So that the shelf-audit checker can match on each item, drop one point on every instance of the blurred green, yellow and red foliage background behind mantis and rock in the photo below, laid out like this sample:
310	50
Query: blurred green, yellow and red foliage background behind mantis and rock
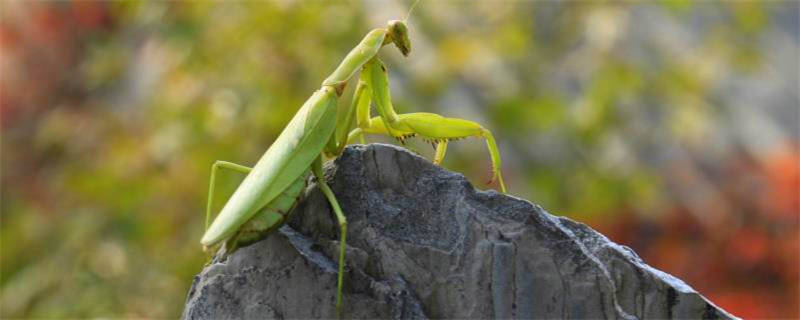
671	127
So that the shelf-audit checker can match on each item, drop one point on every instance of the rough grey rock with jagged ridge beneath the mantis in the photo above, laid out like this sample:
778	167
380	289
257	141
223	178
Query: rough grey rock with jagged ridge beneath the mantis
423	243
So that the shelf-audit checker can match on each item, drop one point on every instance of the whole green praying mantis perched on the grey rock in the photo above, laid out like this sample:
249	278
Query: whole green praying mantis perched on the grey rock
273	187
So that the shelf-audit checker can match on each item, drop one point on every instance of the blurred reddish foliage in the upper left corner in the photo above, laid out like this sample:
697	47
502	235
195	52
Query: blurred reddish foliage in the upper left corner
42	44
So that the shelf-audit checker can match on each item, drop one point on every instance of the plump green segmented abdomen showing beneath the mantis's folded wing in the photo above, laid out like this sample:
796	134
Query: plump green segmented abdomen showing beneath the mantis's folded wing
270	217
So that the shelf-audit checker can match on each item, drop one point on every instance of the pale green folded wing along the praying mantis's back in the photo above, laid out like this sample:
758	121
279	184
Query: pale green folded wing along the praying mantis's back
286	159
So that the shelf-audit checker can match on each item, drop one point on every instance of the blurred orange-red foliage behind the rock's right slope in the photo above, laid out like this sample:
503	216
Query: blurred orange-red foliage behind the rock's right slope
750	263
